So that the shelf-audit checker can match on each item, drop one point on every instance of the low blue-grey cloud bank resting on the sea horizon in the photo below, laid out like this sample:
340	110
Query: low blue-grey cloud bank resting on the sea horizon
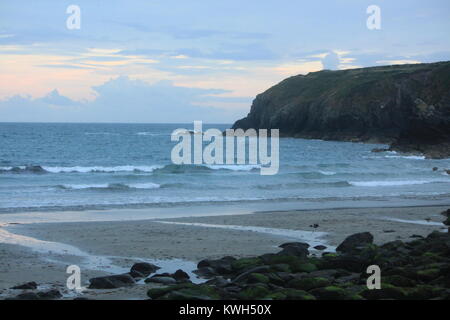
126	100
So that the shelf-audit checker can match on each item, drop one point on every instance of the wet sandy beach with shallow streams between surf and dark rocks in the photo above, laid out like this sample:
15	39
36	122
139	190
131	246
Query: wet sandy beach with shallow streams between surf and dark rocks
41	252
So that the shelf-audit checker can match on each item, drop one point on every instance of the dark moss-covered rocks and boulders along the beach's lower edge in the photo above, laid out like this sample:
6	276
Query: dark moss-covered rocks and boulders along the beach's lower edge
418	269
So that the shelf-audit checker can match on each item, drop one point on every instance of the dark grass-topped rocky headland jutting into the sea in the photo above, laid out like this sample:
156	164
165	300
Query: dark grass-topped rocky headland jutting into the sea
407	105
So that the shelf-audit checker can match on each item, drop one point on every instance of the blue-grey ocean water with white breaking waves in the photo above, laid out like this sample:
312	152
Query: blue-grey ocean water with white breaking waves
96	166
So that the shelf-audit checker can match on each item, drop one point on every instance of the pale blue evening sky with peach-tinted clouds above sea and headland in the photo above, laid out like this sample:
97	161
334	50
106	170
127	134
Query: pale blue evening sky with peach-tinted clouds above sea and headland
151	61
